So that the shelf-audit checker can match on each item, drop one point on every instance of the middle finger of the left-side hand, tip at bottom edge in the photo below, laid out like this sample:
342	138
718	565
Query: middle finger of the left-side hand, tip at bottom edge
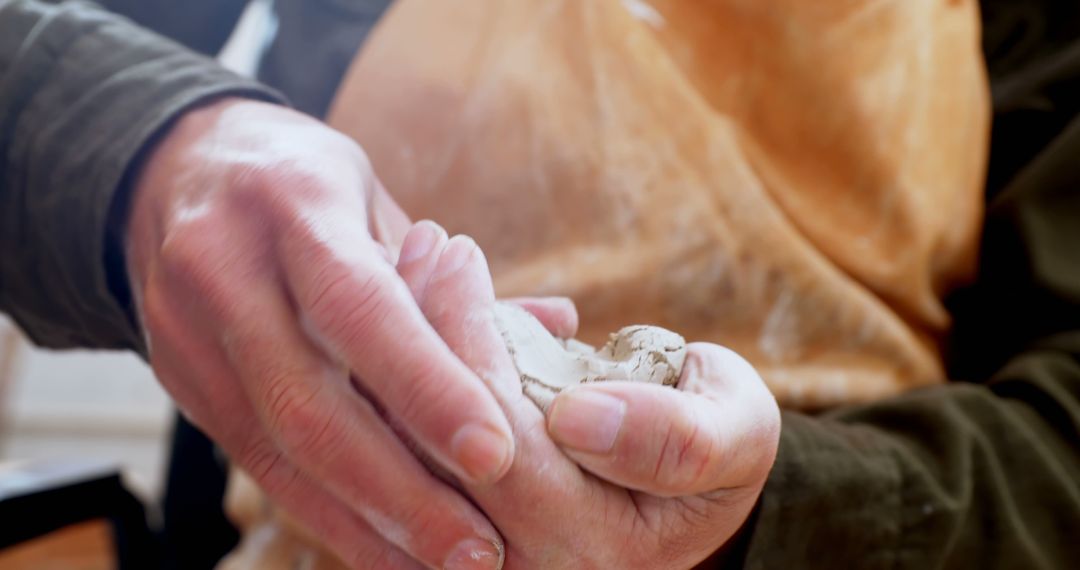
339	440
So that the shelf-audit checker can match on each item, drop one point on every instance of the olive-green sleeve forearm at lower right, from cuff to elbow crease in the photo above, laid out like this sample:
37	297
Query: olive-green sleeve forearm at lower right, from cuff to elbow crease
963	477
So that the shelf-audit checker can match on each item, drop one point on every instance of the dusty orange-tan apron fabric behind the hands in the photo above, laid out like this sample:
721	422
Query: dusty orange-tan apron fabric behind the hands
800	181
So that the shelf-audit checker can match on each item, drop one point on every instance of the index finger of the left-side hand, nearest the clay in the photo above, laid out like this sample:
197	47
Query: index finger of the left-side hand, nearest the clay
368	318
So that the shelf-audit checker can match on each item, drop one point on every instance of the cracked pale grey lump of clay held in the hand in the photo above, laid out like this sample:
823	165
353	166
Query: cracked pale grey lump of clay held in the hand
547	365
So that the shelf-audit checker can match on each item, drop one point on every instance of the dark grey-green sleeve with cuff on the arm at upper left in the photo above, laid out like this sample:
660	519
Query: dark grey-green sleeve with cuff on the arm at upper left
83	92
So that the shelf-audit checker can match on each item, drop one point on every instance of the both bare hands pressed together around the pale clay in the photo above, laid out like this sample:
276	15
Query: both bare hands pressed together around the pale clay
348	361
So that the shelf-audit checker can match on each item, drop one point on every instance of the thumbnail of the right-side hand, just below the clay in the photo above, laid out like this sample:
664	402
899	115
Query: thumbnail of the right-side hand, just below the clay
587	420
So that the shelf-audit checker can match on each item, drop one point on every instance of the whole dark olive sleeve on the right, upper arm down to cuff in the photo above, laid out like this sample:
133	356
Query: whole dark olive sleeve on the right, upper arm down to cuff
983	472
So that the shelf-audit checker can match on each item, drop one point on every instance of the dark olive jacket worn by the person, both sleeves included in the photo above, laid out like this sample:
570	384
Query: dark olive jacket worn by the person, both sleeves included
983	472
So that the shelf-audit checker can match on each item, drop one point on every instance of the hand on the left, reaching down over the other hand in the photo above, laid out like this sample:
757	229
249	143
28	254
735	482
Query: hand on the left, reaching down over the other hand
261	249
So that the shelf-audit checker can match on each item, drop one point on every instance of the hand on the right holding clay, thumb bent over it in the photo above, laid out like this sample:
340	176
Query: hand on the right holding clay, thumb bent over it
619	476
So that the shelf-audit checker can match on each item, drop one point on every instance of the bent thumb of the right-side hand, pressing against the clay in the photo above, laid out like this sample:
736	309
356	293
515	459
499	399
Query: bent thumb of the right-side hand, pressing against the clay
712	435
